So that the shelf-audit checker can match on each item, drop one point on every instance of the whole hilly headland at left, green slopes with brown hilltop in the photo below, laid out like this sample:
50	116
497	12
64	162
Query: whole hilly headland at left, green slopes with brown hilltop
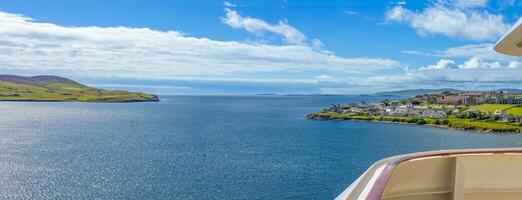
59	89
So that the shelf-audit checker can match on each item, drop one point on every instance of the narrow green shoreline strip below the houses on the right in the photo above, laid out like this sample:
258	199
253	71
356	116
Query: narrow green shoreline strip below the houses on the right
447	123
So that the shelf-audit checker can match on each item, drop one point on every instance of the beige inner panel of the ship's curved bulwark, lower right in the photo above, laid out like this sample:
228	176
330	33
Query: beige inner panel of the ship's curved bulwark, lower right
462	177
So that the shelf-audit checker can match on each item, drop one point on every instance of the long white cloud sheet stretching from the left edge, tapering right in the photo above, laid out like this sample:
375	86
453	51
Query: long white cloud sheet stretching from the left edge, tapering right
31	47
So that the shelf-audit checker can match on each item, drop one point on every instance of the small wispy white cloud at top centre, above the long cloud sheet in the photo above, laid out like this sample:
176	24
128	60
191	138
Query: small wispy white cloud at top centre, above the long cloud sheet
257	26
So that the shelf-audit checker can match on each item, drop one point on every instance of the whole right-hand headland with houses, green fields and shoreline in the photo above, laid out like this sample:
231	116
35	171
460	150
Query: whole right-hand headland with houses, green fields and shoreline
493	111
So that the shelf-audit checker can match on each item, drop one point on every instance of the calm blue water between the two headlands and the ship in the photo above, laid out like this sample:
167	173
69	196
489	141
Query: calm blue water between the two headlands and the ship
200	147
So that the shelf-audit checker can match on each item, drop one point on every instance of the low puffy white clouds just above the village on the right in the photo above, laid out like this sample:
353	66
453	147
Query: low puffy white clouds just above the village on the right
471	74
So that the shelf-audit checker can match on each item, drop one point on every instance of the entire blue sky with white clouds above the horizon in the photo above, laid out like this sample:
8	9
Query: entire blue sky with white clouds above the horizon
261	46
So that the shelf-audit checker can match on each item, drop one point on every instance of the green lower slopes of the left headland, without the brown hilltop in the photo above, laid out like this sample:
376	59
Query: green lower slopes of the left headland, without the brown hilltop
67	92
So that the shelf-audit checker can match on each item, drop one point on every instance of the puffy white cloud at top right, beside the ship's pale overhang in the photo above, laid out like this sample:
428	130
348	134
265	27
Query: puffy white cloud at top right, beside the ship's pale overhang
454	22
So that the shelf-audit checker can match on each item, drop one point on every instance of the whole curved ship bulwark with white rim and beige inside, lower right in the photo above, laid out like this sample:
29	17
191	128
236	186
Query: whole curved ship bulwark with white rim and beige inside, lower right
448	174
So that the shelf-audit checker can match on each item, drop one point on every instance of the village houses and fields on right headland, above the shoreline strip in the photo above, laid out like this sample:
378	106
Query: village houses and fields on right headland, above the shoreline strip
438	106
